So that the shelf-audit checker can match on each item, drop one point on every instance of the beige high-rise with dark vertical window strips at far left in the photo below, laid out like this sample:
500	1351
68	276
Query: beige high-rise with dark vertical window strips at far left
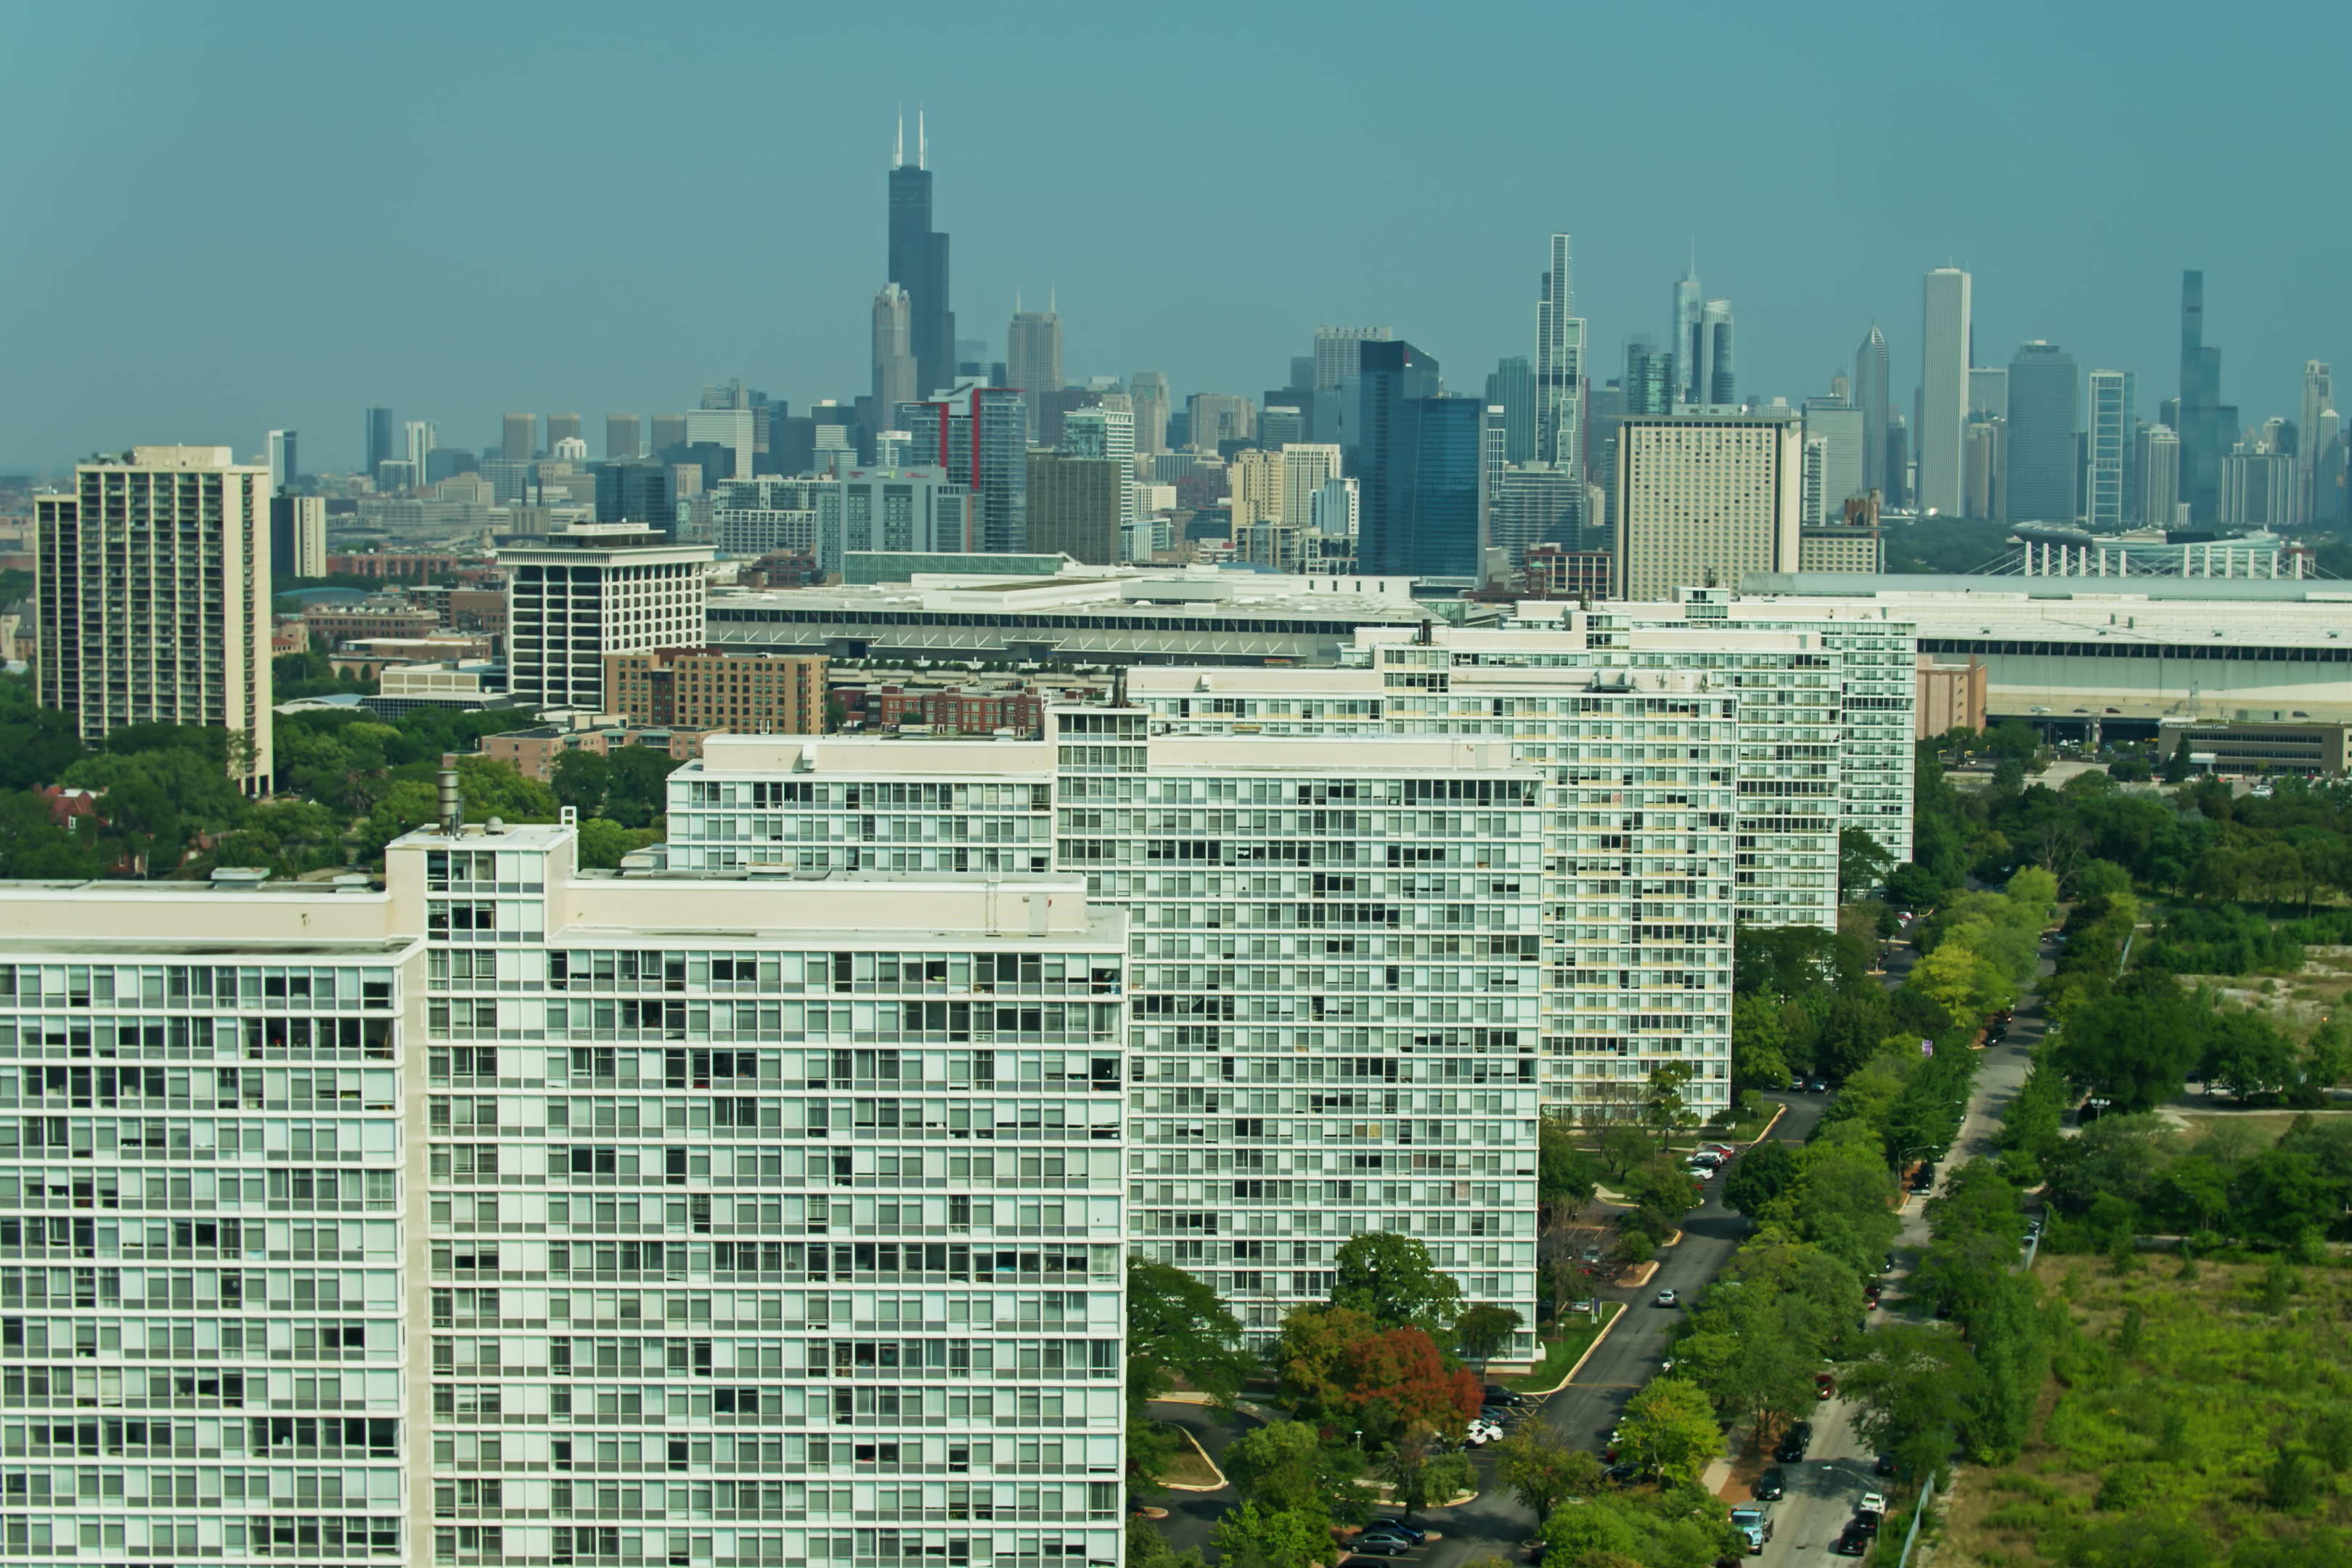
154	587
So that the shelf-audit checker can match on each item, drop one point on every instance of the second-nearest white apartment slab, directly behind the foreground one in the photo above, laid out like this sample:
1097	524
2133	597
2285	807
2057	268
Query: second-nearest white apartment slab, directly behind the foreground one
1332	963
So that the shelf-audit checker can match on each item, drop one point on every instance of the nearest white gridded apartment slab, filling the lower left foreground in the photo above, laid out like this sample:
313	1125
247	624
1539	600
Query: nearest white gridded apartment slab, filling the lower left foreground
530	1214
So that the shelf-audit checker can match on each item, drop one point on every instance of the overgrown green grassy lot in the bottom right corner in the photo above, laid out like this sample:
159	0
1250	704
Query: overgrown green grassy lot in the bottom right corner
2212	1412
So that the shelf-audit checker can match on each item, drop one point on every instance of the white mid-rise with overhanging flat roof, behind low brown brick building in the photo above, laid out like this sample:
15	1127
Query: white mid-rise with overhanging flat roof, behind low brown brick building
592	591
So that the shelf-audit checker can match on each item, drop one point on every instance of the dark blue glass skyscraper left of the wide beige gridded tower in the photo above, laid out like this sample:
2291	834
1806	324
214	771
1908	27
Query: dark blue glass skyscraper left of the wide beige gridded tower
1417	462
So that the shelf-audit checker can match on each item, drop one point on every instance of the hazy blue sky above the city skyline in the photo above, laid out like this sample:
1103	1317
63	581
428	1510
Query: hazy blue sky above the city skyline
239	217
